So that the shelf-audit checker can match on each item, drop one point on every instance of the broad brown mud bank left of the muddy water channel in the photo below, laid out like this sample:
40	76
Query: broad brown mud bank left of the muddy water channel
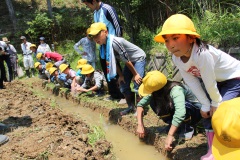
41	131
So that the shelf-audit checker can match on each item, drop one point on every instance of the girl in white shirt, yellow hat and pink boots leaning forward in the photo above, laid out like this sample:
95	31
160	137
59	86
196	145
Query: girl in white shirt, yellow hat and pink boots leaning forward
200	63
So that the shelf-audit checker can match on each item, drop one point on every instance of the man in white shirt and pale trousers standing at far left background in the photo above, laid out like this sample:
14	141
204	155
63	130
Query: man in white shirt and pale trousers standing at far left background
27	56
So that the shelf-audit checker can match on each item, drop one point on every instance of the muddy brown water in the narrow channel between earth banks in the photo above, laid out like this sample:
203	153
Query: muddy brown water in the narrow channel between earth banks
126	146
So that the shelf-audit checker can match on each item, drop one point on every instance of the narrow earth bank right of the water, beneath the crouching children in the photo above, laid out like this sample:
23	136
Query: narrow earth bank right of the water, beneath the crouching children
191	150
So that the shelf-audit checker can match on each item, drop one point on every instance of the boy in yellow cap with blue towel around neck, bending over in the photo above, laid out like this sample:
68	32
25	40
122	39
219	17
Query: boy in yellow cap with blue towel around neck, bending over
121	49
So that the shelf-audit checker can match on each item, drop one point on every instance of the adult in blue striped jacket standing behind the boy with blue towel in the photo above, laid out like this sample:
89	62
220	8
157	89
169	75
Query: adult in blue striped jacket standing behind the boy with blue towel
108	15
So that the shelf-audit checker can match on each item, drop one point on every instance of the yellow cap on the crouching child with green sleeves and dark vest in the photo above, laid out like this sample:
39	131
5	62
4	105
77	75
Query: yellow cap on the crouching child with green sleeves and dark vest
152	82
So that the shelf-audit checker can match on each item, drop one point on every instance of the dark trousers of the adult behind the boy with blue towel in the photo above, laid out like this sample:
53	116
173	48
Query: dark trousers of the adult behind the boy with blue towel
113	87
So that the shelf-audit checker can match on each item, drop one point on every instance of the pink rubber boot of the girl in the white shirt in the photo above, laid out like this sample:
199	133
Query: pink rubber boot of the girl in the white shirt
209	155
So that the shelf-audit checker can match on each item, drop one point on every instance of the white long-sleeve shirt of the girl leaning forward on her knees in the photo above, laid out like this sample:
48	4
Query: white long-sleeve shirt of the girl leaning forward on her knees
212	66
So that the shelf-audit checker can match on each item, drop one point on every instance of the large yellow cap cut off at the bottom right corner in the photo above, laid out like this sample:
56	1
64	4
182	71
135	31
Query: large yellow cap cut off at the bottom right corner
226	126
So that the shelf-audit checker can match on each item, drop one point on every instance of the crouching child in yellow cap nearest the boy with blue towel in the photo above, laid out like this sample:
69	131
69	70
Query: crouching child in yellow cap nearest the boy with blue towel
93	80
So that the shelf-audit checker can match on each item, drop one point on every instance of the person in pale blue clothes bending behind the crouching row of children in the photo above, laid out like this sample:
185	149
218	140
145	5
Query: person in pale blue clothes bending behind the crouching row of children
89	49
